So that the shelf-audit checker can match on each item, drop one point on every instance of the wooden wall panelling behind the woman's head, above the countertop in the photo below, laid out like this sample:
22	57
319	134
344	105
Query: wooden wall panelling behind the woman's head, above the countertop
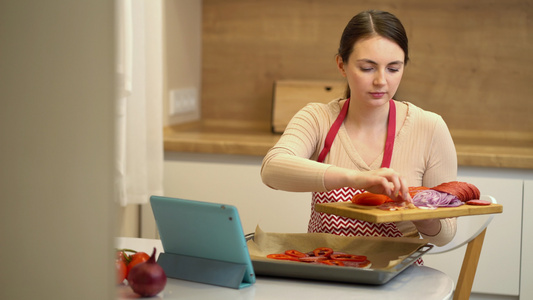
471	61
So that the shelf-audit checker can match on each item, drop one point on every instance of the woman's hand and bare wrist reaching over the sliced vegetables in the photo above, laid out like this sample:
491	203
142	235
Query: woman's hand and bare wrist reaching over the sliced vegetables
384	181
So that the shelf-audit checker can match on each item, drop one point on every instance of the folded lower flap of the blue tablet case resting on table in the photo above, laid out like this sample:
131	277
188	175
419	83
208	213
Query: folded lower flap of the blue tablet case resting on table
203	270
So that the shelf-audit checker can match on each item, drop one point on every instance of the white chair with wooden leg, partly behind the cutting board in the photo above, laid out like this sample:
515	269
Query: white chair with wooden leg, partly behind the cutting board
470	230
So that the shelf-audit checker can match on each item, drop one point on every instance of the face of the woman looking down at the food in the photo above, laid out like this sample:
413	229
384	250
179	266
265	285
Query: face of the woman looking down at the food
374	70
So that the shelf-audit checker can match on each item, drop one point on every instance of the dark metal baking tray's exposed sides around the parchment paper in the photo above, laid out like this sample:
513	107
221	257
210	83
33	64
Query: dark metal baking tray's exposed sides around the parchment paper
370	276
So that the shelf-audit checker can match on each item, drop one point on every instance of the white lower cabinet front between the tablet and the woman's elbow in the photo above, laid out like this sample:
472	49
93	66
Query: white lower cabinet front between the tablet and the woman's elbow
235	179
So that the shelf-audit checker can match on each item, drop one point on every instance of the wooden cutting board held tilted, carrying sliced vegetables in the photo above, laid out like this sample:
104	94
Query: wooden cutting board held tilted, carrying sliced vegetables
375	215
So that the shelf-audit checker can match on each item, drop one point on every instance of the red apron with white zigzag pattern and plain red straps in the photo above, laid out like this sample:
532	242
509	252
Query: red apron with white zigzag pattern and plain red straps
329	223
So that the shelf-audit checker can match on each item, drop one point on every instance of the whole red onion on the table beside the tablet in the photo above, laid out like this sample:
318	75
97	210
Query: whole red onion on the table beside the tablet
148	278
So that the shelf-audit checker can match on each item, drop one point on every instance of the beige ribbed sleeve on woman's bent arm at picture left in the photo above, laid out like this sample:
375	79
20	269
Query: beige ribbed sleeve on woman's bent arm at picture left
288	165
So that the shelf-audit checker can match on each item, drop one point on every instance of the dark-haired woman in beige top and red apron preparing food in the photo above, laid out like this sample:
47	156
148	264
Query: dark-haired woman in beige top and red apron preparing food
366	141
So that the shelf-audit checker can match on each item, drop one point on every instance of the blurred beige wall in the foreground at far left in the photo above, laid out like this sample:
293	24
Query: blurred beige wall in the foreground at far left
56	155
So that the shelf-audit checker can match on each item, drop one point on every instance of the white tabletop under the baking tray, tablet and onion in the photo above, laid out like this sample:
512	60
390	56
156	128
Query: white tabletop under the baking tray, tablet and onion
413	283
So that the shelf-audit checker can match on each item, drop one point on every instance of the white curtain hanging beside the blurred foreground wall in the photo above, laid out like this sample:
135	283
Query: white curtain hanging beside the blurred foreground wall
139	148
